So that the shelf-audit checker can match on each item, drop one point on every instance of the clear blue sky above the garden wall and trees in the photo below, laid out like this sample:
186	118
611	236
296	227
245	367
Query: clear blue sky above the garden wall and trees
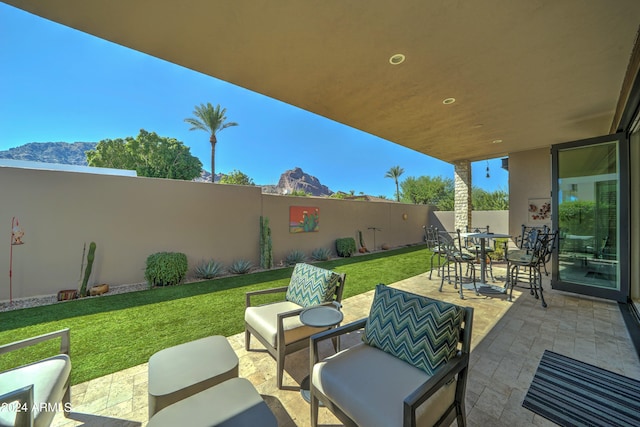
58	84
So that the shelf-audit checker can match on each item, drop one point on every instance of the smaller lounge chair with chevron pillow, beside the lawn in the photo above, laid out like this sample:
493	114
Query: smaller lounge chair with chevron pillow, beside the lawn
277	325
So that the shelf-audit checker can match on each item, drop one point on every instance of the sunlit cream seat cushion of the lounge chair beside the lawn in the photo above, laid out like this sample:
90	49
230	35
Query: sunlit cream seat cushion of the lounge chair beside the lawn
264	319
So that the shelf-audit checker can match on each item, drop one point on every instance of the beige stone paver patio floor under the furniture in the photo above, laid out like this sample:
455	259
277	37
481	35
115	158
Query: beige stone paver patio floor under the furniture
508	341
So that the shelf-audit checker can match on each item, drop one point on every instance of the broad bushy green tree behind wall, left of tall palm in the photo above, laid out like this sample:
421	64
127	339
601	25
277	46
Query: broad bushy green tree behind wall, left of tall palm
148	154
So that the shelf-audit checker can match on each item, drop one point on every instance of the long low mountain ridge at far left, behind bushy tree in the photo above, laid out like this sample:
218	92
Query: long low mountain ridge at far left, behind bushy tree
51	152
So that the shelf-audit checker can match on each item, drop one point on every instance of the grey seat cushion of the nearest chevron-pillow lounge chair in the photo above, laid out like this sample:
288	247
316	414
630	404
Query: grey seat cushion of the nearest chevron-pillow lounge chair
370	386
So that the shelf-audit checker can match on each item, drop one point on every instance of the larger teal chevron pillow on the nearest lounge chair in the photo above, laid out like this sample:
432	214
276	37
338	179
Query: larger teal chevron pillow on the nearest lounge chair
419	330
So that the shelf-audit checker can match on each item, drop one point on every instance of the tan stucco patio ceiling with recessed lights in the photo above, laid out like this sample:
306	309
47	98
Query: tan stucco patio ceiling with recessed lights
528	72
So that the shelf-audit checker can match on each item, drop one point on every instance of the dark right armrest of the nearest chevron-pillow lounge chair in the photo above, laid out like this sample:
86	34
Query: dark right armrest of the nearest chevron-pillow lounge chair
442	376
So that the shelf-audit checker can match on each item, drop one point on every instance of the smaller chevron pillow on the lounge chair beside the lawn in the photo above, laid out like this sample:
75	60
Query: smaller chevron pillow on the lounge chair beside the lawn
311	285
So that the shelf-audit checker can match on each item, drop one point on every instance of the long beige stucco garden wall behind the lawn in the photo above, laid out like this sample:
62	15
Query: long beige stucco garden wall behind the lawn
130	218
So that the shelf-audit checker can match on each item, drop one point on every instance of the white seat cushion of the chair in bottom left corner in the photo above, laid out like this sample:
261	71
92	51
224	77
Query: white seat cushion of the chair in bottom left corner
48	377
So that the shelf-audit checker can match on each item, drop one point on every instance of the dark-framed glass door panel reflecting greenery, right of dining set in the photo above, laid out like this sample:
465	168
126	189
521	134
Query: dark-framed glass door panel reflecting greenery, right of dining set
590	200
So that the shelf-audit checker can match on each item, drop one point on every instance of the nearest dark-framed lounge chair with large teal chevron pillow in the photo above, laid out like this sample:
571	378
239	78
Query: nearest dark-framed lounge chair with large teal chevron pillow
410	369
